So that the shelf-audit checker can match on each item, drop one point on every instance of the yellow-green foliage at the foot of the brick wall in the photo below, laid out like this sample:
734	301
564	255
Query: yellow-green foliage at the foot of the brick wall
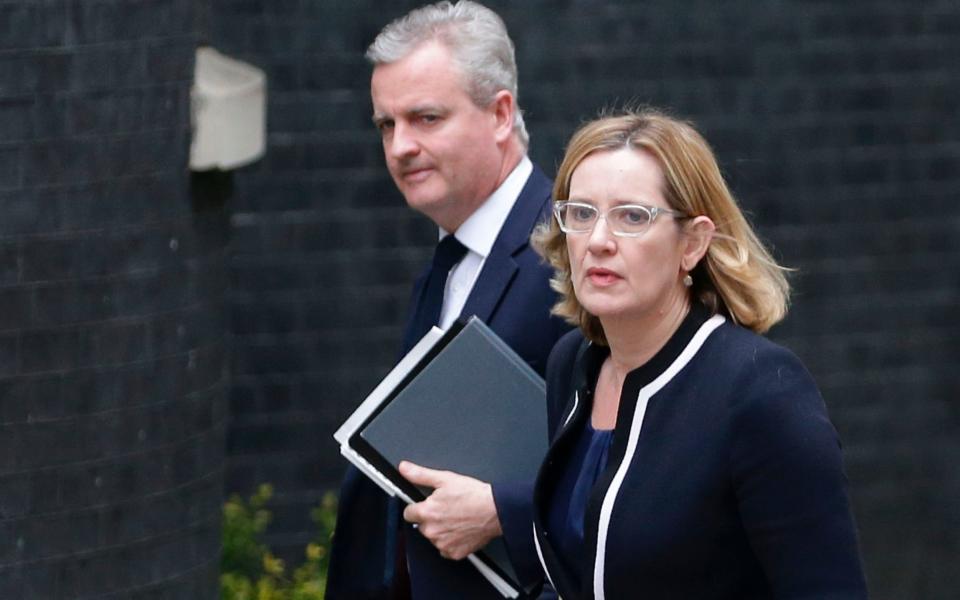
249	571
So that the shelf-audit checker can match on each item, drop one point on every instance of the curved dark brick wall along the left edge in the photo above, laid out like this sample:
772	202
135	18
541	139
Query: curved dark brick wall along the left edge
112	284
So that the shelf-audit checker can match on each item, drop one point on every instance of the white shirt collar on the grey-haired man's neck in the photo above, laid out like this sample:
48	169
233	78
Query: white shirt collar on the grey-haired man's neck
480	230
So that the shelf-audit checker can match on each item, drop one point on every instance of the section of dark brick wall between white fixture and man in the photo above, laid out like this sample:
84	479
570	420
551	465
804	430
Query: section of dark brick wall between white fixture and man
323	253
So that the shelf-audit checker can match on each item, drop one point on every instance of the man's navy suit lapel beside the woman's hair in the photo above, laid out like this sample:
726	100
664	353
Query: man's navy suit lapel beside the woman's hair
500	268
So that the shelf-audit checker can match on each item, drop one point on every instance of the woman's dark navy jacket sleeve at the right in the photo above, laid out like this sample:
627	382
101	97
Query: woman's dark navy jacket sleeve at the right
790	485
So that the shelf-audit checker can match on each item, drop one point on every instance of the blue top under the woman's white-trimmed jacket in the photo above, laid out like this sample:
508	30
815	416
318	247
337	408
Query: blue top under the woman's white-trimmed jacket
569	506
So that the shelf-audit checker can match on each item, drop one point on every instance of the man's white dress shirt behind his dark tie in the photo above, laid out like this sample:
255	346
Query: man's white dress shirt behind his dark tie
478	233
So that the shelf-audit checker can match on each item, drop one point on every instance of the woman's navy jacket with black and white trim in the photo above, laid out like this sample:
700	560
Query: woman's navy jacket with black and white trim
724	478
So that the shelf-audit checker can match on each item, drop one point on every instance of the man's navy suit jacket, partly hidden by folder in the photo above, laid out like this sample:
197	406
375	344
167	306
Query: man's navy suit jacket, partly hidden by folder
512	295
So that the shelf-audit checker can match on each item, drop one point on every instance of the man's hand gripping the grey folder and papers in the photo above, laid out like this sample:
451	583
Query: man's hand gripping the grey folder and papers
459	517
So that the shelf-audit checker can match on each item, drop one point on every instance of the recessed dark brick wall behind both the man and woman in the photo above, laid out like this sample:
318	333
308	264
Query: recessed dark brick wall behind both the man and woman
836	123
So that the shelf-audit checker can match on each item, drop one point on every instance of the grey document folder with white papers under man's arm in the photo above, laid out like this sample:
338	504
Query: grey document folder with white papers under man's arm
461	401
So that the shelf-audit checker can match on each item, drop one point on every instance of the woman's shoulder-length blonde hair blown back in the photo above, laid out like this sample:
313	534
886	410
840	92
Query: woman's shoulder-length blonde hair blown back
737	277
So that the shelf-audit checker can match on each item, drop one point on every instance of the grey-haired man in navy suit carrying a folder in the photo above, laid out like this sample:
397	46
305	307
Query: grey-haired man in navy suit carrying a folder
444	100
